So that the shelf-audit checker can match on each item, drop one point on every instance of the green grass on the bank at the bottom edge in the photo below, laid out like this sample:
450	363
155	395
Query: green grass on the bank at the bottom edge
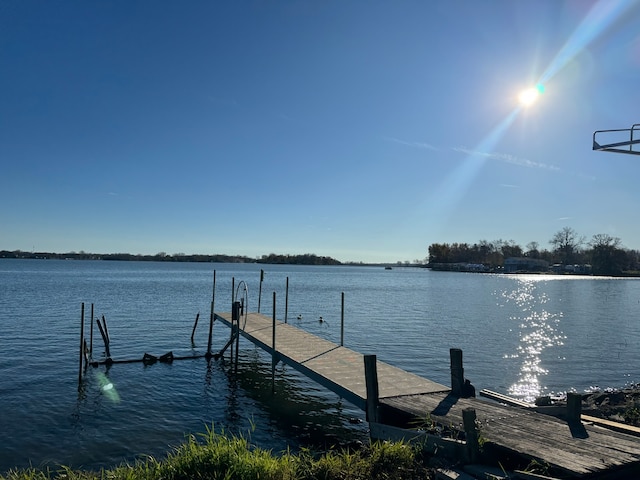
216	456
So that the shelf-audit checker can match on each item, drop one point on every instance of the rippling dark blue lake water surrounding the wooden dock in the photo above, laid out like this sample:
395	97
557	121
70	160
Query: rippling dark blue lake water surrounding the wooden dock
521	335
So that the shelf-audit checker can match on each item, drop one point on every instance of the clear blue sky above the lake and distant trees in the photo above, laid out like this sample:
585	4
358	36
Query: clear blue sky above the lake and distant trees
365	131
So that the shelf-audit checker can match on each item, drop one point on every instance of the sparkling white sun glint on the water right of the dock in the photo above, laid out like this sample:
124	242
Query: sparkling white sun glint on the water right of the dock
537	329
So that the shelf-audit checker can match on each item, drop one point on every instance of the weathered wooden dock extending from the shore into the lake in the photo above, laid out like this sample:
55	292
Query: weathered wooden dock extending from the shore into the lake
577	449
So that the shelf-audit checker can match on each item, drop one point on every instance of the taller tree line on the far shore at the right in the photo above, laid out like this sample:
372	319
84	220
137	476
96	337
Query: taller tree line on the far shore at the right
604	253
